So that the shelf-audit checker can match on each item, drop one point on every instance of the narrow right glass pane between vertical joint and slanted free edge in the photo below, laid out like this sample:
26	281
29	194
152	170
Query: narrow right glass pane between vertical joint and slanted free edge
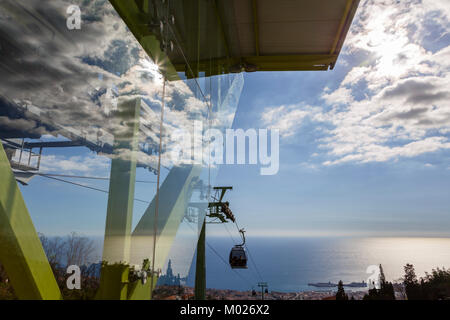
196	103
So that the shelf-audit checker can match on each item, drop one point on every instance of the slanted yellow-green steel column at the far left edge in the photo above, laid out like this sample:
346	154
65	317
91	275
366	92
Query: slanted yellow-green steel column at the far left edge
21	251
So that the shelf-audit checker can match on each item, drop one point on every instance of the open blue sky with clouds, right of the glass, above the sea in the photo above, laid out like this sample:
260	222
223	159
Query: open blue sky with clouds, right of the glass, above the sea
364	148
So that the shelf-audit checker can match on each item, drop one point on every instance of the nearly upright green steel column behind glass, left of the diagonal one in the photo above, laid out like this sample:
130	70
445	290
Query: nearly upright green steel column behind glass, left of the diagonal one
116	248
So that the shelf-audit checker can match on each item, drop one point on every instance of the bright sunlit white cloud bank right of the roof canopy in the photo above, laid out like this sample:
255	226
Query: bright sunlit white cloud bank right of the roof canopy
396	103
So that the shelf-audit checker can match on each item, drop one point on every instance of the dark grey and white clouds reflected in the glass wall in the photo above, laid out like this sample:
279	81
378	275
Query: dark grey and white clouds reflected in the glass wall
74	80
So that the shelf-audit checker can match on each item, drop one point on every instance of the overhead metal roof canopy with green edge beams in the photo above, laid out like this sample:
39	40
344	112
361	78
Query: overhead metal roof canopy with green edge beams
222	36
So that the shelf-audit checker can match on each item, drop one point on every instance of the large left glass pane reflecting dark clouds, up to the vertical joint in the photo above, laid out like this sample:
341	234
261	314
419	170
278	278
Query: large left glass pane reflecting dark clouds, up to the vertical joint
79	121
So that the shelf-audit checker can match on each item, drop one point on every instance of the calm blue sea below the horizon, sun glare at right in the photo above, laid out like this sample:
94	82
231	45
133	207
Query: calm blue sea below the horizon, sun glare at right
290	264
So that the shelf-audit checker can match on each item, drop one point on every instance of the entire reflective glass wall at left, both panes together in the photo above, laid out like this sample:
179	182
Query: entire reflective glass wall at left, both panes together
90	124
